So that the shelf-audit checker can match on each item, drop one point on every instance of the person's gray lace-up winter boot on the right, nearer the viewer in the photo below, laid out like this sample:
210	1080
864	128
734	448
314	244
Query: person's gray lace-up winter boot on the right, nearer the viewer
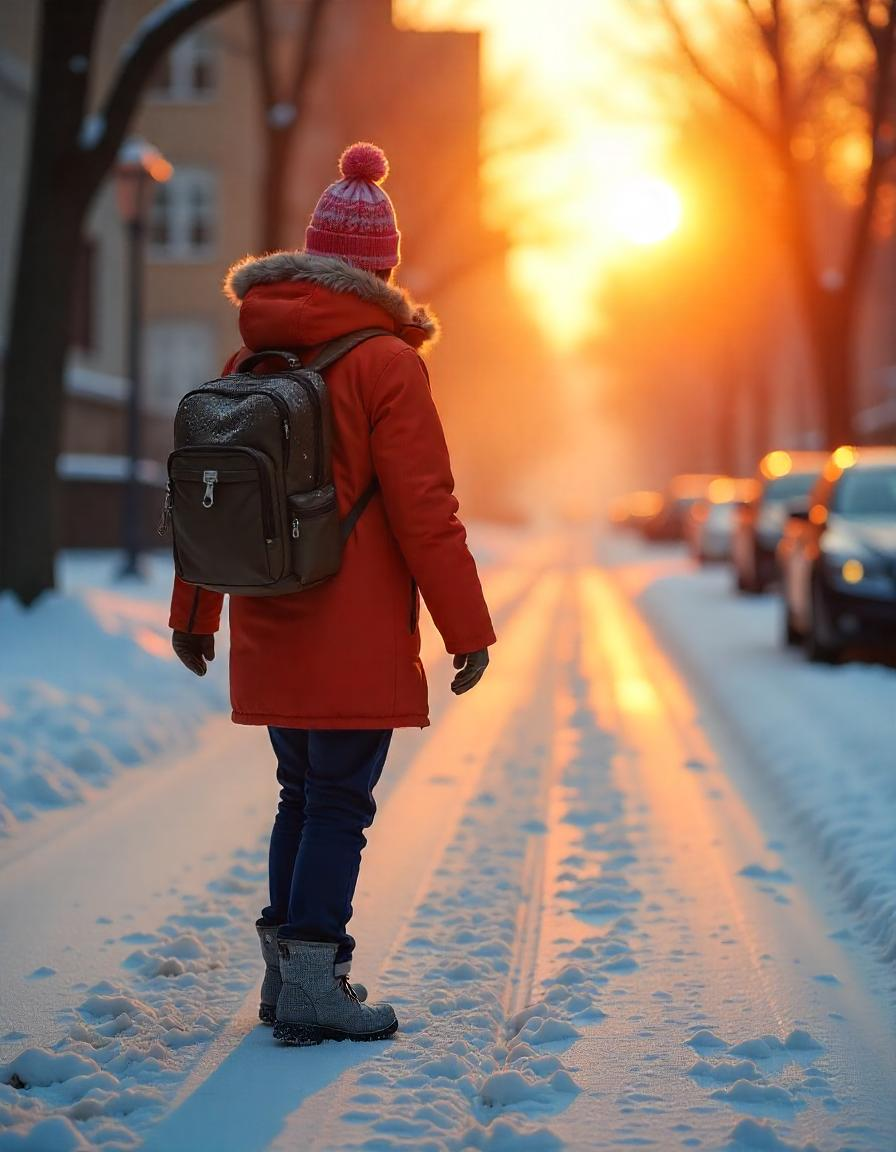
317	1005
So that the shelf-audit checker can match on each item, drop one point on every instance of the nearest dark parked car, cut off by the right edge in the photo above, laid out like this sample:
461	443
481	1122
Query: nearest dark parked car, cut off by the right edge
839	558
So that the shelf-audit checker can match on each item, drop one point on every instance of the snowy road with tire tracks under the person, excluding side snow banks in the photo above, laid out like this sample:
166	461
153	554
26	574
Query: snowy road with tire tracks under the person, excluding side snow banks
596	926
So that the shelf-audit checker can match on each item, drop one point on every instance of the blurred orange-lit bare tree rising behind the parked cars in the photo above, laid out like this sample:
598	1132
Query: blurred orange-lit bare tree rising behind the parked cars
804	55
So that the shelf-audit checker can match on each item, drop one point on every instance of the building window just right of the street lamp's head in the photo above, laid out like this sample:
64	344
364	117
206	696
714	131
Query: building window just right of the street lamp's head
184	221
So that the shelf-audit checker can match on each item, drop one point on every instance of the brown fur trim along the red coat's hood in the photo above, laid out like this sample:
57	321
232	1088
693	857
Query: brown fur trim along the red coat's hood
413	322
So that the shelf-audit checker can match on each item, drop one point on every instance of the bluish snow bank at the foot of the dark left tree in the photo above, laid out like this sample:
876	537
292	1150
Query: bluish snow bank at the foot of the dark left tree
90	687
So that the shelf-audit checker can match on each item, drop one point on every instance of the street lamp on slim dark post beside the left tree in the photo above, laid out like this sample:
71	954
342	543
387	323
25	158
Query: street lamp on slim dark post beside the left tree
139	169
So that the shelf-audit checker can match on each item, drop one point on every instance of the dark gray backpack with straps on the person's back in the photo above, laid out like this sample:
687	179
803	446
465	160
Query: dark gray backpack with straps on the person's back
250	494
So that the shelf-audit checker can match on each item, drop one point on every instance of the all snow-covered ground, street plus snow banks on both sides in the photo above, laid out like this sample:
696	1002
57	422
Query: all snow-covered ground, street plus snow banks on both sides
636	890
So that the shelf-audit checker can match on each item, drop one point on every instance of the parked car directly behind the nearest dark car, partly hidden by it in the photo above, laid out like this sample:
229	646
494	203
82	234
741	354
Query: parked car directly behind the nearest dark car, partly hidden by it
760	524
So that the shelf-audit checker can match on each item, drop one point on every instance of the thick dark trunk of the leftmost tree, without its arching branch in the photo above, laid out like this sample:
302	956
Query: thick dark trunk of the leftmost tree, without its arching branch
55	206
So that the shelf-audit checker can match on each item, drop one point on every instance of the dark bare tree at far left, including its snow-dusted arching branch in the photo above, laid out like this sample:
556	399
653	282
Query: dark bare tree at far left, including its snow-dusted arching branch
70	155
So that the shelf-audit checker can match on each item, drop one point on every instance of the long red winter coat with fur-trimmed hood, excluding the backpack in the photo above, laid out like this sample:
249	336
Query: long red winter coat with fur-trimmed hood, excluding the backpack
346	655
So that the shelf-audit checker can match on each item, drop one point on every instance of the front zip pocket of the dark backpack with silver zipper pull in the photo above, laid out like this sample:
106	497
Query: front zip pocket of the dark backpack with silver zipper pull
226	518
